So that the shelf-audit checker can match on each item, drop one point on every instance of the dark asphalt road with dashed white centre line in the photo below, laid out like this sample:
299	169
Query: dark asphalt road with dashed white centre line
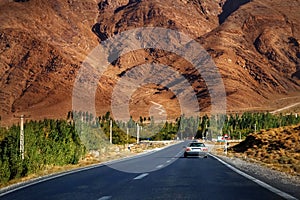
164	174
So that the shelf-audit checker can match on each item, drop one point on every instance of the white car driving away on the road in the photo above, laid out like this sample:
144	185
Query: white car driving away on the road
196	149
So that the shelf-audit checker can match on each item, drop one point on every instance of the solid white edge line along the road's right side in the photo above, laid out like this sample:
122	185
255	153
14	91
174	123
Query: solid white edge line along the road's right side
261	183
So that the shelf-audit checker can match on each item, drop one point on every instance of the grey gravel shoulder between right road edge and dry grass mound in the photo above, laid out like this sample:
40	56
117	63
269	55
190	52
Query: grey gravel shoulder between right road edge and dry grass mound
282	181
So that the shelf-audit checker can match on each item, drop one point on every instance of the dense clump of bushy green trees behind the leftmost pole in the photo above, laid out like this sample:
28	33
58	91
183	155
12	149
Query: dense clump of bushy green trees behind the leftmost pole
47	143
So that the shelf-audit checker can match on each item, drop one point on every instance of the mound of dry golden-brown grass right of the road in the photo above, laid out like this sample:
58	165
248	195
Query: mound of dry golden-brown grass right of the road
277	149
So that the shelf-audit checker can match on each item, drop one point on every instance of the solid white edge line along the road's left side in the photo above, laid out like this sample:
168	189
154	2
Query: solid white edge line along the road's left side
18	186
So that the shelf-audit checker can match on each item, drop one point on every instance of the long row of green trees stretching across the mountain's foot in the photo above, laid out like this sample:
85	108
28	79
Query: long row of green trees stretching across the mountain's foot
61	142
